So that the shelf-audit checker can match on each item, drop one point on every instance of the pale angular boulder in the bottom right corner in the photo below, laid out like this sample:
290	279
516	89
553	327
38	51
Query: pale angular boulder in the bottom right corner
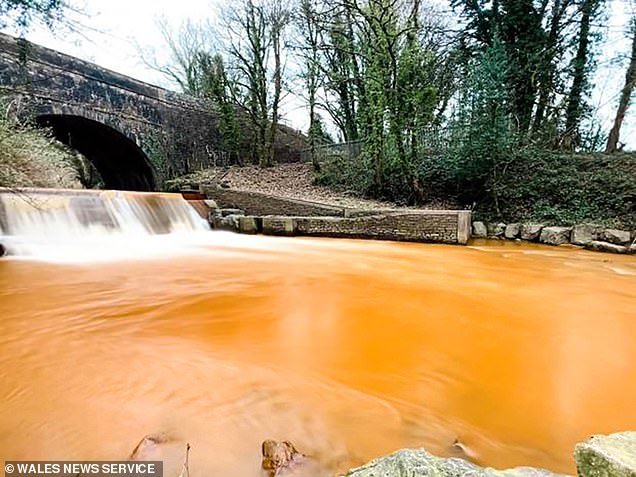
607	456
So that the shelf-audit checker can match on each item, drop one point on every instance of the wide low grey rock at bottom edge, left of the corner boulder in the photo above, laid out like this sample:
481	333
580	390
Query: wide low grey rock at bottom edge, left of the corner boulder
420	463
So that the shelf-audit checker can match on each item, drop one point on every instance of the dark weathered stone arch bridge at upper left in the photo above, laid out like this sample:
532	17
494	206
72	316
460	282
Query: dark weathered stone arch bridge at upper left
135	134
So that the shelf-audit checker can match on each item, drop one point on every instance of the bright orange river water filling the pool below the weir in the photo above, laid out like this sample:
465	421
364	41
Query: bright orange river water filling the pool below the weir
349	349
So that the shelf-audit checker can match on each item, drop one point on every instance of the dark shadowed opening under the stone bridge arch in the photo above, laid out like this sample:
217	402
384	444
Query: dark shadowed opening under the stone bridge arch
120	162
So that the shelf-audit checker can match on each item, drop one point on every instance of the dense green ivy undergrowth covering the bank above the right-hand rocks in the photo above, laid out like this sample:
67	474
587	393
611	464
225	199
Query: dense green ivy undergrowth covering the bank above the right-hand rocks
566	189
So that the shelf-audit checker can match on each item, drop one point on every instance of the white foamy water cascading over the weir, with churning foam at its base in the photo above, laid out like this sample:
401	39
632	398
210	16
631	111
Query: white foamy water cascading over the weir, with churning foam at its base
104	225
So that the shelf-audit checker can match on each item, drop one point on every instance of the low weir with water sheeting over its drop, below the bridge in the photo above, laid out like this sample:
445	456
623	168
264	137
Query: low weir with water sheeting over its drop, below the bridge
31	219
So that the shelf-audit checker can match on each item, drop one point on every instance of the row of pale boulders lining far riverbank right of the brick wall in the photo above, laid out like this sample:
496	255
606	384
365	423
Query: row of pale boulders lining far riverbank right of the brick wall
590	236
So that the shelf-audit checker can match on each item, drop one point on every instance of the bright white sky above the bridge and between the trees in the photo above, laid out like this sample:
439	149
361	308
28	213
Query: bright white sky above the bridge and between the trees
113	30
